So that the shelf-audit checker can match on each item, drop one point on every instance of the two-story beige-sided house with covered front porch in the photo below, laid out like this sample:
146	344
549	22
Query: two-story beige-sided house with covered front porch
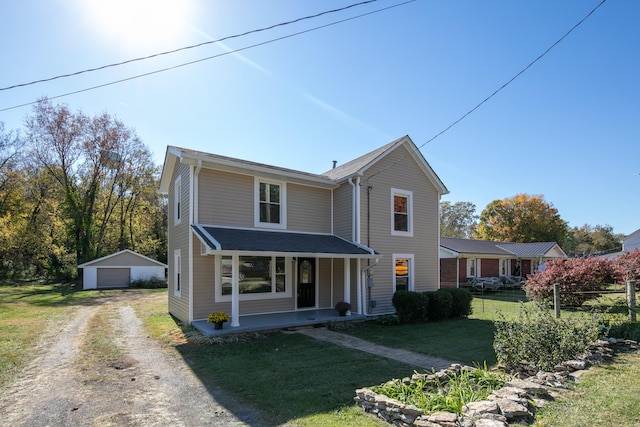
249	238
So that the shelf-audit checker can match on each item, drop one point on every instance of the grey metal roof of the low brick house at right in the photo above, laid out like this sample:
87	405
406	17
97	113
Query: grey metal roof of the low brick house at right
488	247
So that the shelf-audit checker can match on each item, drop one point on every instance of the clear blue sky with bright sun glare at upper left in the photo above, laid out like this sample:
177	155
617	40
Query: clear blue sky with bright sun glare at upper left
339	85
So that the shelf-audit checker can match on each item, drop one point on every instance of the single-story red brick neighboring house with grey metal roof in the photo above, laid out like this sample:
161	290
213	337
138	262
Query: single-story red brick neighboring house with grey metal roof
463	259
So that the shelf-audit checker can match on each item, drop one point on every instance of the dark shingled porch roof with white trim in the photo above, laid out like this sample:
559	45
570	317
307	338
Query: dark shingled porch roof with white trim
240	240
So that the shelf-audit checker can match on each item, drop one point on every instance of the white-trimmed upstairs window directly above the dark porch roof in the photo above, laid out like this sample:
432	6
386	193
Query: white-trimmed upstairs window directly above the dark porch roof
270	199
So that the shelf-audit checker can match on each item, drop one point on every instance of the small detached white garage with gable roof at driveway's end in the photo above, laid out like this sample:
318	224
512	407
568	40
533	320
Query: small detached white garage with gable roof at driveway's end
118	270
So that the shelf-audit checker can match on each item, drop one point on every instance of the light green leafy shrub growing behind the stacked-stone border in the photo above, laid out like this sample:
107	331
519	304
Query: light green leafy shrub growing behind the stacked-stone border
538	338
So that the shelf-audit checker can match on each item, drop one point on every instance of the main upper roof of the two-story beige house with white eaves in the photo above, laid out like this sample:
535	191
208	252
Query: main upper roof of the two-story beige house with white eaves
329	179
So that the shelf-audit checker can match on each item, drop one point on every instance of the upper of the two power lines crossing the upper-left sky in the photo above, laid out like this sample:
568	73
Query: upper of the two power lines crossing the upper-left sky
282	24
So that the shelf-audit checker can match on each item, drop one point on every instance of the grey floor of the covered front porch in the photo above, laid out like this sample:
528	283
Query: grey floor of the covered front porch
276	321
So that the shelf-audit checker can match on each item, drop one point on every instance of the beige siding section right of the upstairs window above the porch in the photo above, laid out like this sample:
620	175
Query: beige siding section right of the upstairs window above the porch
308	209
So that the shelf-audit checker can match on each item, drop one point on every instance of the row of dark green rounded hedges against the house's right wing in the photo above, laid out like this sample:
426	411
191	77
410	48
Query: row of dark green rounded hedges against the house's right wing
445	303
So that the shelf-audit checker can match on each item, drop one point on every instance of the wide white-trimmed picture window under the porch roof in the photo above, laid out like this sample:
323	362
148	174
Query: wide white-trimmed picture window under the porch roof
259	277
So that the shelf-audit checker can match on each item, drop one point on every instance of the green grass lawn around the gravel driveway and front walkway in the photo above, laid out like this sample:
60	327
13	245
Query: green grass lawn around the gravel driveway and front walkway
293	380
